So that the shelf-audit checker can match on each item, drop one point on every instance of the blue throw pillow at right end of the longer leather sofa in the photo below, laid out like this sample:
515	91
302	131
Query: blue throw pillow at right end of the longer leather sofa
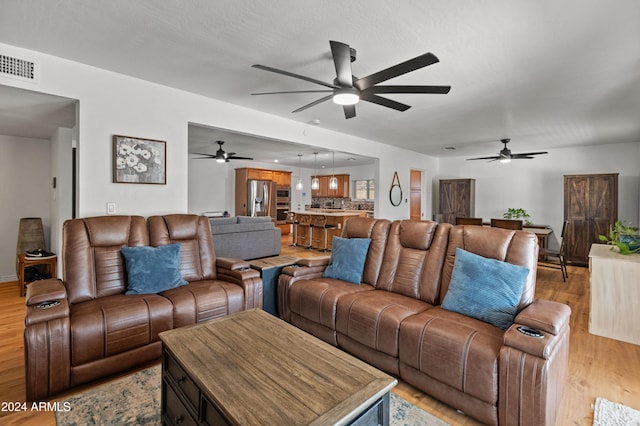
485	289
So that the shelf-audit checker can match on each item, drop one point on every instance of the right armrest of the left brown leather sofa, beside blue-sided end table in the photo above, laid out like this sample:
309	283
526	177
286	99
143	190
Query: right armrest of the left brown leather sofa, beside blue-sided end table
239	272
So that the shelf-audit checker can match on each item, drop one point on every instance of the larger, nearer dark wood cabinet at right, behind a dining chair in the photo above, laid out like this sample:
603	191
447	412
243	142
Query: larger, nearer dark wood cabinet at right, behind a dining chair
590	206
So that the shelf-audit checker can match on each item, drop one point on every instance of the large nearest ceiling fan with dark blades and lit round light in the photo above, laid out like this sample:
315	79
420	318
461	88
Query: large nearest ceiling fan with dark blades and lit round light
347	90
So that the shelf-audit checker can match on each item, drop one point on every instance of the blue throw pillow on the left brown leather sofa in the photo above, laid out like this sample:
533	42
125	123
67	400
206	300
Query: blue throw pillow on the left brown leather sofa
152	269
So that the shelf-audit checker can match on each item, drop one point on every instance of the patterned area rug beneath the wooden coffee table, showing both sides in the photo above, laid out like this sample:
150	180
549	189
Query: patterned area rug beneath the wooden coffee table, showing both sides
135	400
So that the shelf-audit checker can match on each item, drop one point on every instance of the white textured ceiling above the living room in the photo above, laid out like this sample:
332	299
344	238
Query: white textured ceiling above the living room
546	73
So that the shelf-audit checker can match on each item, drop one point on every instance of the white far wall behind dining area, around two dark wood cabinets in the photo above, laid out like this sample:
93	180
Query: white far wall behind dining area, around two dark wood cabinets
538	185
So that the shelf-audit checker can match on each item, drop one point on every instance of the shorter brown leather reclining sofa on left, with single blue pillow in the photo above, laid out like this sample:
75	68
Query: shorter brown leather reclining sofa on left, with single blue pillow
95	329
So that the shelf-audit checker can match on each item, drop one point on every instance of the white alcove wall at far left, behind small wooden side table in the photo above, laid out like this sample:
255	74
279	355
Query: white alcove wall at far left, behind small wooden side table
25	176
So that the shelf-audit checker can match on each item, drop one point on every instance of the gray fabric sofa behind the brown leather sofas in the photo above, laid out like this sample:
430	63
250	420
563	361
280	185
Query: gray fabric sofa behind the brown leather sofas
244	237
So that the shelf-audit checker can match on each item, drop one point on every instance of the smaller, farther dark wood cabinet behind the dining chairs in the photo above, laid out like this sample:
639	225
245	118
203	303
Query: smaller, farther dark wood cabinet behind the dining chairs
457	199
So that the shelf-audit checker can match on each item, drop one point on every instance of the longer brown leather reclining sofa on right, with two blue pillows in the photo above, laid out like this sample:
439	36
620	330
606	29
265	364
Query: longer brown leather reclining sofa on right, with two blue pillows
393	319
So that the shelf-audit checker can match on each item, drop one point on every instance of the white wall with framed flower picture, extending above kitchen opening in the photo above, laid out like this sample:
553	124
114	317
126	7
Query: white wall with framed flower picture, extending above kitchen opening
114	104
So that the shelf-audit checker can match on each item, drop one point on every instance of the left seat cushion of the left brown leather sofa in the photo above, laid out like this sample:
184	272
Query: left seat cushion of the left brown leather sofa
111	325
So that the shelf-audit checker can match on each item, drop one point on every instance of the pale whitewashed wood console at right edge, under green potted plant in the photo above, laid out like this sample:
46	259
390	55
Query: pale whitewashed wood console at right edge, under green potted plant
615	294
